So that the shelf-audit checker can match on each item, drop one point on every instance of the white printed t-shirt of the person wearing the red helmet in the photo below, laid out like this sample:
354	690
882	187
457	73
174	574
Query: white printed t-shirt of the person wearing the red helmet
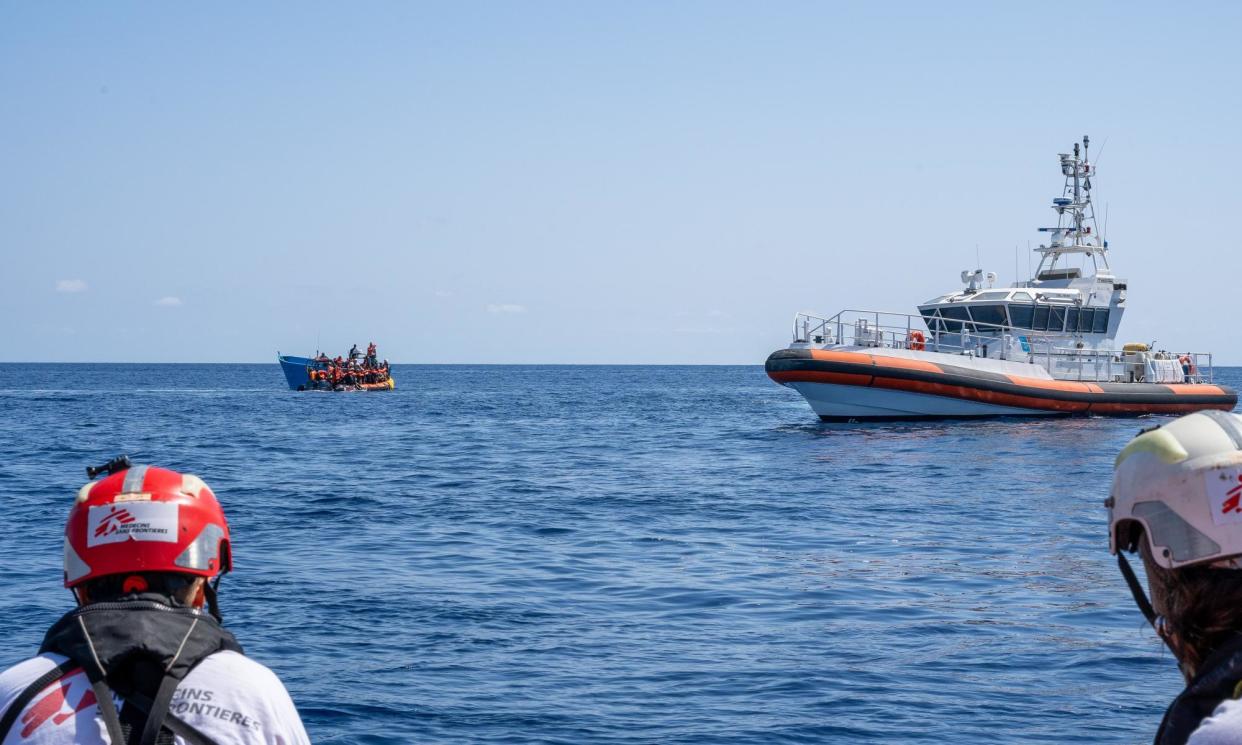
228	697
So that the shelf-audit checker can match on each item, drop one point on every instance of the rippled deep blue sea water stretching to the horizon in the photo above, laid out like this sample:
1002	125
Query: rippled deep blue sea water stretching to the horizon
648	554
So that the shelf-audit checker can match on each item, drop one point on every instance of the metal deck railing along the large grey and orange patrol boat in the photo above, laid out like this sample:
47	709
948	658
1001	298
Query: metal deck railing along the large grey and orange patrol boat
906	331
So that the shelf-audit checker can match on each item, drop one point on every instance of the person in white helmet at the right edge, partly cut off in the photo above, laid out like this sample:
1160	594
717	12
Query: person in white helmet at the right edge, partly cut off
1177	500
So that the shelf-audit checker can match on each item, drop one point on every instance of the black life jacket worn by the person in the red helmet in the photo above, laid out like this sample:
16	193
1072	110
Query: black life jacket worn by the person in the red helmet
142	650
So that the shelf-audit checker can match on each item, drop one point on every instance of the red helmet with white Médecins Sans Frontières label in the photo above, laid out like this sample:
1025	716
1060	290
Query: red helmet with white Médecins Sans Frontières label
146	520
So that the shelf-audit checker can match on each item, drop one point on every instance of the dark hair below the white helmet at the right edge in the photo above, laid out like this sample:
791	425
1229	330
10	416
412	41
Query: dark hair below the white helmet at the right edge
1203	607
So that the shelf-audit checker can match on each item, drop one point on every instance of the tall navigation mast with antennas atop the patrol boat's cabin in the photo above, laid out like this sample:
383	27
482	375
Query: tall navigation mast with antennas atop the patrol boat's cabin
1075	212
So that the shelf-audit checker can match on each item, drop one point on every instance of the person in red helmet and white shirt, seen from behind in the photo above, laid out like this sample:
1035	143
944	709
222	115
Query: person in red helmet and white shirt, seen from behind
145	659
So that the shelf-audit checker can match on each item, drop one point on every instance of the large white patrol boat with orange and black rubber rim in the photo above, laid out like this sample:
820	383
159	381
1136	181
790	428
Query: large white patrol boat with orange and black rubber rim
1045	347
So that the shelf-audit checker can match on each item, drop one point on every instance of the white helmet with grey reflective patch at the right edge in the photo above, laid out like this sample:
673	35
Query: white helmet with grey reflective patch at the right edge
1182	485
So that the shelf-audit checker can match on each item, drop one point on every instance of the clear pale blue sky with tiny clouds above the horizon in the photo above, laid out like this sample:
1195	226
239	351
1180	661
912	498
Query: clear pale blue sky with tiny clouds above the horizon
588	182
